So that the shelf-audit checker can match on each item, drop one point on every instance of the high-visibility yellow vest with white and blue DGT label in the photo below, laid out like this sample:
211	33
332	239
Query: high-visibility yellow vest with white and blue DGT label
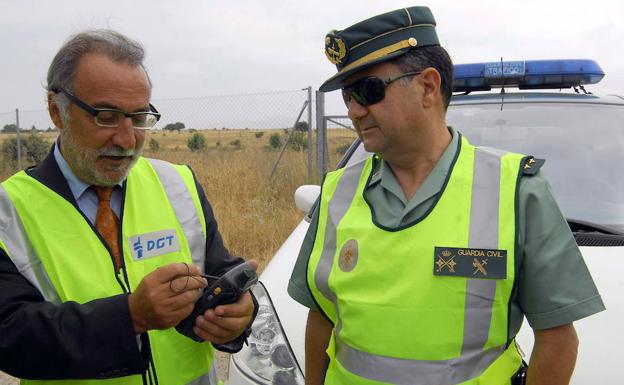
59	252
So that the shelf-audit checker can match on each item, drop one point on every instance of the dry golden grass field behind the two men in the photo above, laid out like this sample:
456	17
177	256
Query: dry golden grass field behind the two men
255	211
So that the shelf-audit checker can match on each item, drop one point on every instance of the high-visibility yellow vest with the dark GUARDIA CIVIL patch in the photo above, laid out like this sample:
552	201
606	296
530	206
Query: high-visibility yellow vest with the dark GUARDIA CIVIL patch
426	303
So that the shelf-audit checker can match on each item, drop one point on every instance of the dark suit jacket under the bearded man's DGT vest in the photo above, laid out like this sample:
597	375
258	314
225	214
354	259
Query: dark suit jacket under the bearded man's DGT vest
40	340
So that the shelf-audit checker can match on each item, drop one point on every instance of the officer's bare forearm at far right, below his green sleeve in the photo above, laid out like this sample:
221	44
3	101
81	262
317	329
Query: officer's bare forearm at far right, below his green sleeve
554	356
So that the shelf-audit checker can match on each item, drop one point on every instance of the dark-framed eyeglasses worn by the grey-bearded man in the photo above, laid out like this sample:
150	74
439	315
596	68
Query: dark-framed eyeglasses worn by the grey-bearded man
110	117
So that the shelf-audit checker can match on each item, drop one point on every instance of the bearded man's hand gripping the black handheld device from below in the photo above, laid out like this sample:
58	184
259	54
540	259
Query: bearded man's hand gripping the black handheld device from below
226	322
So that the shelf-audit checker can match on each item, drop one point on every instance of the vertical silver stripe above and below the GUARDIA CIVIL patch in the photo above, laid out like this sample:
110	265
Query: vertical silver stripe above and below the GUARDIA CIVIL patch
483	235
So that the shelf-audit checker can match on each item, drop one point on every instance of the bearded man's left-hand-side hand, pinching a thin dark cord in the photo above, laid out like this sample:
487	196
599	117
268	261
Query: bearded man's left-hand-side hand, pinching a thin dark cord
165	297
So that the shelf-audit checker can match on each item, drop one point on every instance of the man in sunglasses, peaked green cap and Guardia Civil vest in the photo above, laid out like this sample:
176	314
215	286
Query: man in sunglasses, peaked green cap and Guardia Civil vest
417	267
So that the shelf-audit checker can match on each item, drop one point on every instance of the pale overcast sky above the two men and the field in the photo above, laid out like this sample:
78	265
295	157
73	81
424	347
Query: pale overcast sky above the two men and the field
208	48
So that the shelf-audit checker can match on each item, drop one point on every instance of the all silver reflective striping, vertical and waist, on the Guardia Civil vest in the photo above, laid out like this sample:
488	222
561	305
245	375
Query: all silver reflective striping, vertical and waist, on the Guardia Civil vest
479	292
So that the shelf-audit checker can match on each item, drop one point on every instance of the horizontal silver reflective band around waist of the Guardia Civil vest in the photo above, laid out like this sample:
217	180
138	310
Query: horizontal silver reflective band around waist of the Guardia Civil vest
415	372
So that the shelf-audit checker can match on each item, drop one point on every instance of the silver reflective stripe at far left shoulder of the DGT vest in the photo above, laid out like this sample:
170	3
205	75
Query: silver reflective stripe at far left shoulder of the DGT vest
21	251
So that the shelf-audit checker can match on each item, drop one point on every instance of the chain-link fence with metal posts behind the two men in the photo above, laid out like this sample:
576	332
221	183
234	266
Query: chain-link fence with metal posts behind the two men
287	113
